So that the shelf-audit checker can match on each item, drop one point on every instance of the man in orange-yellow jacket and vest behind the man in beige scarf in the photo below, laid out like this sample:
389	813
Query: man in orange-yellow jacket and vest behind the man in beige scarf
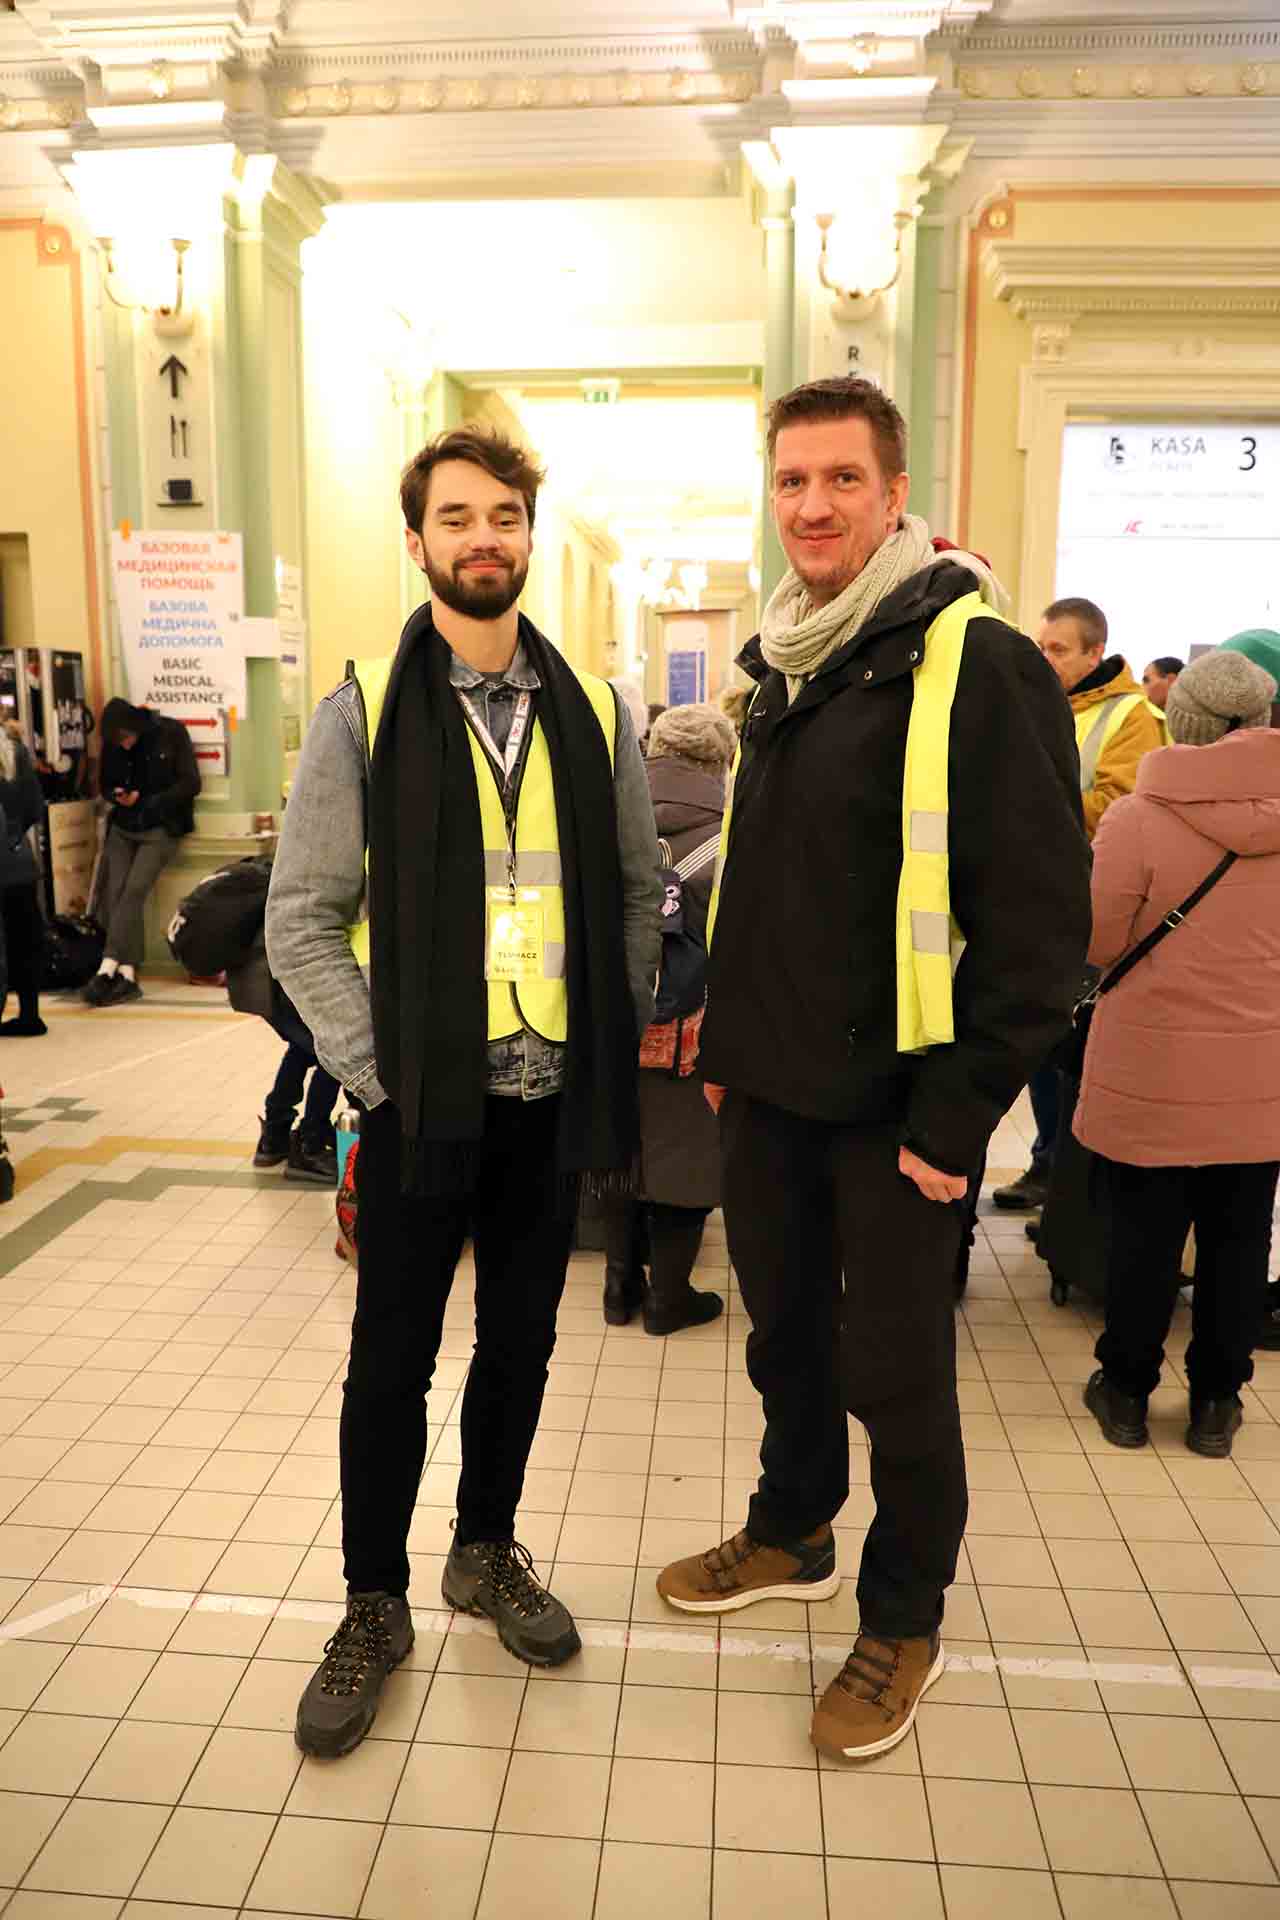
1114	727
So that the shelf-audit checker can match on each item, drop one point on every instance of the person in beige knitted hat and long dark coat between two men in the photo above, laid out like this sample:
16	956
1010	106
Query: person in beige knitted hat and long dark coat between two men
678	1172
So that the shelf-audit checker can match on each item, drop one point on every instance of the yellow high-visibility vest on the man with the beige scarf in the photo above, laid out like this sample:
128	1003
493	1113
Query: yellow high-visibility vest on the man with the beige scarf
928	940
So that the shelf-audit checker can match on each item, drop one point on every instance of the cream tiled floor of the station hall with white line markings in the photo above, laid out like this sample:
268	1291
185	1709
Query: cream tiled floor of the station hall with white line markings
172	1345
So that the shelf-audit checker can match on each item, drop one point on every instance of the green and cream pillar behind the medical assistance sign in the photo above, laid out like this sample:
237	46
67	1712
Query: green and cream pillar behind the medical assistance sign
237	433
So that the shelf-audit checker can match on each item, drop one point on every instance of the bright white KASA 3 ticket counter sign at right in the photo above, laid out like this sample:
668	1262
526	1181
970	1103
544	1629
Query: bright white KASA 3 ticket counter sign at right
1173	529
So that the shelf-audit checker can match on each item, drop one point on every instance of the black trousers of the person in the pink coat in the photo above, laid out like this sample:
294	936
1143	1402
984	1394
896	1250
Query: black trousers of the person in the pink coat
1152	1211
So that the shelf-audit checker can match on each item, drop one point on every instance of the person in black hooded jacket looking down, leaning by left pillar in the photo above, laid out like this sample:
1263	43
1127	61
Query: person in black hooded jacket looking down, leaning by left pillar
151	777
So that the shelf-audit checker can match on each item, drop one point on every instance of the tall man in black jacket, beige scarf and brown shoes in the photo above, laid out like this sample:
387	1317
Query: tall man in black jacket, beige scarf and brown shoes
851	1128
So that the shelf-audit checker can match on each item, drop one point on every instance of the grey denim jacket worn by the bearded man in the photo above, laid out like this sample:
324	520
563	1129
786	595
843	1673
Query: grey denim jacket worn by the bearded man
318	892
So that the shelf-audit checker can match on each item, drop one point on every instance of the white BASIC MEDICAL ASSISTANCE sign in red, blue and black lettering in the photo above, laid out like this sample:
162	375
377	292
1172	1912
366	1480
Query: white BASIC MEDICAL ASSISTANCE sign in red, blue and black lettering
181	606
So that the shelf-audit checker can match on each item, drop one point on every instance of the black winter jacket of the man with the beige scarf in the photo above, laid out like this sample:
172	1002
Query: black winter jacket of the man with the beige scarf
803	969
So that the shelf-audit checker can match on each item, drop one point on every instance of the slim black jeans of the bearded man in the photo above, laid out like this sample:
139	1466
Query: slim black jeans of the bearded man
523	1226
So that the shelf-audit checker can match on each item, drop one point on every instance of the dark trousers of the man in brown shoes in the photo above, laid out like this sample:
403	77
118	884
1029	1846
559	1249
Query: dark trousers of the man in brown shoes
803	1203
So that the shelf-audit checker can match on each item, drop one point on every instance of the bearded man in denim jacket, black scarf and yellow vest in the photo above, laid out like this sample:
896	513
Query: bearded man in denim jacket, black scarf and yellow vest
465	911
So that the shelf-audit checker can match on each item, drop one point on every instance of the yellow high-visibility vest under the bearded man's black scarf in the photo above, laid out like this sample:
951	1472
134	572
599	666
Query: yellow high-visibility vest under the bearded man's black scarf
540	1005
